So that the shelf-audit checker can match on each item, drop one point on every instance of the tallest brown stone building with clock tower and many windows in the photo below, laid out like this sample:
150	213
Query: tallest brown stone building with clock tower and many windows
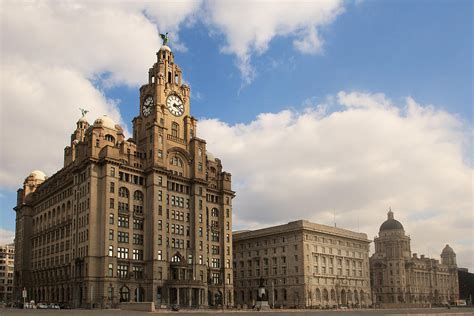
148	218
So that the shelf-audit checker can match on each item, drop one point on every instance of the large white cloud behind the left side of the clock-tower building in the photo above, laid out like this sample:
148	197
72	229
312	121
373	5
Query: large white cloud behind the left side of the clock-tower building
52	52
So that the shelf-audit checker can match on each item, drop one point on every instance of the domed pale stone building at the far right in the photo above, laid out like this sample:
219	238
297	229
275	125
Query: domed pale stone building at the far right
400	279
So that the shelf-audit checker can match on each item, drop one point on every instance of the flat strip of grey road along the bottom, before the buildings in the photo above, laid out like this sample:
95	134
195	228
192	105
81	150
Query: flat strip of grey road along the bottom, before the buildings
377	312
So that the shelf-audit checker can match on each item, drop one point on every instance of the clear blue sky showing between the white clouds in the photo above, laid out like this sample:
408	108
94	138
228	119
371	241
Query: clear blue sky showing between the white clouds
403	48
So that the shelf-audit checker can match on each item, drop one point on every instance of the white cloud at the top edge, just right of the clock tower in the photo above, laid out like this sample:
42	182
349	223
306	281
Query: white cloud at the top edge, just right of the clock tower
249	26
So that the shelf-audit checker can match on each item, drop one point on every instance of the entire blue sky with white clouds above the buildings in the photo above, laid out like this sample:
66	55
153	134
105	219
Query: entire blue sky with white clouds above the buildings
316	108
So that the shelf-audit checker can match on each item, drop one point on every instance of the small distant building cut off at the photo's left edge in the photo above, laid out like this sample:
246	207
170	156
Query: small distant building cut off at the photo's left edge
7	257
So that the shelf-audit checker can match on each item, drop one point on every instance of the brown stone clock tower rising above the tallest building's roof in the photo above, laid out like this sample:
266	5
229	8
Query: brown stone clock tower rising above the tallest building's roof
164	121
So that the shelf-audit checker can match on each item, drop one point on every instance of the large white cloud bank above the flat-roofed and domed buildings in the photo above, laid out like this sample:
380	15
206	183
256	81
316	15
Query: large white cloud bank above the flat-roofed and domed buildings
359	161
